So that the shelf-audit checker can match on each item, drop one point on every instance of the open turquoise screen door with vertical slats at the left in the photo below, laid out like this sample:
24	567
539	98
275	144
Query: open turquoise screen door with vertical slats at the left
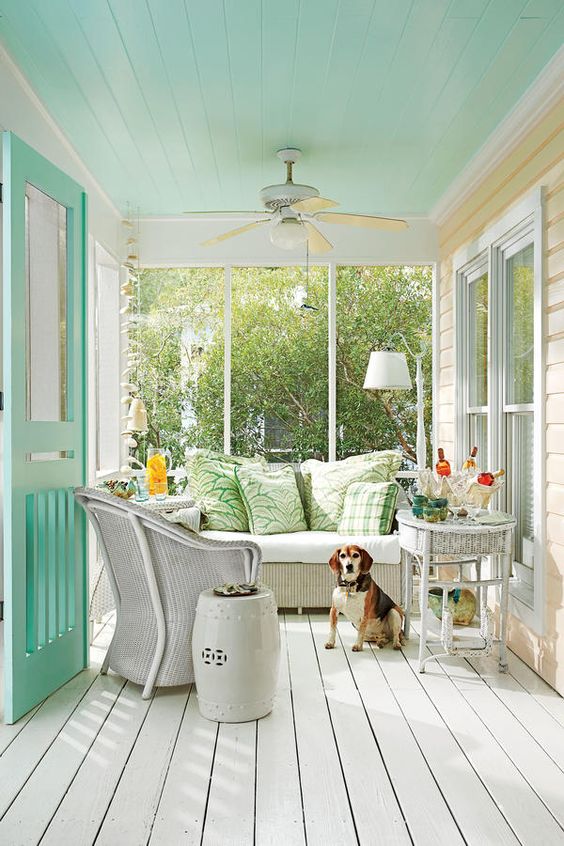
45	586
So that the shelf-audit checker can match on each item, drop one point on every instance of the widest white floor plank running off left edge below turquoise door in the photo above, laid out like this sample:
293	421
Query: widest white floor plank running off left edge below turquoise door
22	756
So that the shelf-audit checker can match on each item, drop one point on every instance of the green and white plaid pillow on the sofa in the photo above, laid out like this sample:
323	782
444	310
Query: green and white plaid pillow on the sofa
369	508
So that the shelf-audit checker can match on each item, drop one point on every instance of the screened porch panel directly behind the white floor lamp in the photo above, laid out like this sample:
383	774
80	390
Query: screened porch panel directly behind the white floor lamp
372	304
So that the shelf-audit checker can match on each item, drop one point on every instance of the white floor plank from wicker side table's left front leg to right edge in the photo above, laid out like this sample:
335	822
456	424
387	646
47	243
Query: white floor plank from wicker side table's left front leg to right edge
544	776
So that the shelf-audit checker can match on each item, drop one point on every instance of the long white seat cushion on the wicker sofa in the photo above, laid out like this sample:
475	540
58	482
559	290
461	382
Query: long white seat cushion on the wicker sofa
315	547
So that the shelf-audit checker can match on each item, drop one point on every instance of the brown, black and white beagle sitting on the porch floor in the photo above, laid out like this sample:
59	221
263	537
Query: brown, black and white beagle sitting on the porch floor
357	596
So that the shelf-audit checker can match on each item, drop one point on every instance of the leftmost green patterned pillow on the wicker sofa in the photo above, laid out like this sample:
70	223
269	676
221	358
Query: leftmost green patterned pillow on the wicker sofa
212	484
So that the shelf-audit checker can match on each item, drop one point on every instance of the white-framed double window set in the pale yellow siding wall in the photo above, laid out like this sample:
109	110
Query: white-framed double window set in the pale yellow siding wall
500	381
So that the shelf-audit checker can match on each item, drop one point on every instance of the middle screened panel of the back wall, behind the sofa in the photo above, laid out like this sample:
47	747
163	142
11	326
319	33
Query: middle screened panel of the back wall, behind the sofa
279	368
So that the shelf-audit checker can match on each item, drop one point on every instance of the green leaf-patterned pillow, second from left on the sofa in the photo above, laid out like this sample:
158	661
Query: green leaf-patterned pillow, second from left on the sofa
272	500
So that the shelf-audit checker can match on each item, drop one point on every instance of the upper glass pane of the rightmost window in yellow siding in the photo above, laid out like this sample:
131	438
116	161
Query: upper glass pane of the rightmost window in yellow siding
520	326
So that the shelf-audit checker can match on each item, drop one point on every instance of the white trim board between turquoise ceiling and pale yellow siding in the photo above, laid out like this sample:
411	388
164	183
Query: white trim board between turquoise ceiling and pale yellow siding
529	110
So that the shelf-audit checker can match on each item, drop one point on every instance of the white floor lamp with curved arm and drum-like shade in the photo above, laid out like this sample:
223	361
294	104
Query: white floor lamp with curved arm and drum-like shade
388	371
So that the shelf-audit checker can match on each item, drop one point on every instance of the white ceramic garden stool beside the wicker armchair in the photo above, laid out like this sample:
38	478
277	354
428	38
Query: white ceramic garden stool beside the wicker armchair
236	652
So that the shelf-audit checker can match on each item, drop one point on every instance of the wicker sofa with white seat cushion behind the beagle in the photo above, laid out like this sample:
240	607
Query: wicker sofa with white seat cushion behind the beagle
295	565
